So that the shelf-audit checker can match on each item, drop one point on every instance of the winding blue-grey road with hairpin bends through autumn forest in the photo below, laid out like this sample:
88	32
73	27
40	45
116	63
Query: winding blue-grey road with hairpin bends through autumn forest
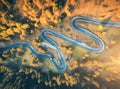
60	64
